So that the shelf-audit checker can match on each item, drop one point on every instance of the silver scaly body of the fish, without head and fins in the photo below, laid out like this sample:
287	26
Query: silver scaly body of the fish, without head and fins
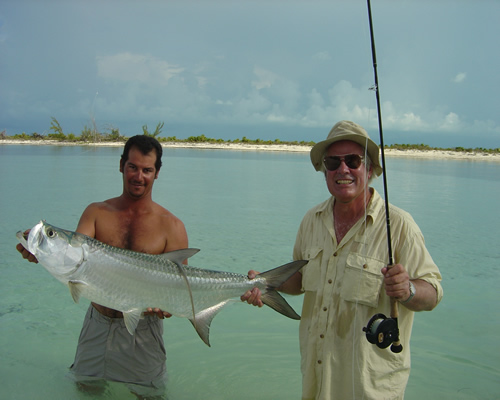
123	279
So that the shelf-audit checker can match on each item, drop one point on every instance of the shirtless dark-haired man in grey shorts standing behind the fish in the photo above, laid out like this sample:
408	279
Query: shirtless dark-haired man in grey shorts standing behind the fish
131	221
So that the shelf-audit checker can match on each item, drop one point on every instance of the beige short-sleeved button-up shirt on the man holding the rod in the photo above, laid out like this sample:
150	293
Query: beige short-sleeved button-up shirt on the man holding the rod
343	290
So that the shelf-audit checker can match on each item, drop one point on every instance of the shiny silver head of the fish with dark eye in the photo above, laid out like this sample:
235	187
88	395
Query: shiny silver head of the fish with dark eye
61	252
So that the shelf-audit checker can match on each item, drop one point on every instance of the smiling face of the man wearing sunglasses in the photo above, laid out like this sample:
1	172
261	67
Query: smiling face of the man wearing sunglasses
344	183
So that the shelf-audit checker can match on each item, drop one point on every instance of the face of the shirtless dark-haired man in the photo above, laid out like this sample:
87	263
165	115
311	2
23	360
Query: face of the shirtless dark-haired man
139	173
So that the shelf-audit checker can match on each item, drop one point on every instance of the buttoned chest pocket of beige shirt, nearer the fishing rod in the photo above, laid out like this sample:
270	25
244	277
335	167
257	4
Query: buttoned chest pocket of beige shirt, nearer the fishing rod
362	280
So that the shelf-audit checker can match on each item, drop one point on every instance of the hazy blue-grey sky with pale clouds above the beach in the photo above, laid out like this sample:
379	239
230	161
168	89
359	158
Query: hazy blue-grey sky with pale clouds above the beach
262	69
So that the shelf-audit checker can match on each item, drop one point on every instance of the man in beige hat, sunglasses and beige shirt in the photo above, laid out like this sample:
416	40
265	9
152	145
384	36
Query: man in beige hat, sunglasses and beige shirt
346	281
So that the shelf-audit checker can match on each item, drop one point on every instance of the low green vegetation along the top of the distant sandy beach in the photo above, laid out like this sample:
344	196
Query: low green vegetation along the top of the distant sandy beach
92	135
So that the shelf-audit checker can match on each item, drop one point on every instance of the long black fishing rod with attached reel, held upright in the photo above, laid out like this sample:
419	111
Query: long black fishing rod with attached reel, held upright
380	330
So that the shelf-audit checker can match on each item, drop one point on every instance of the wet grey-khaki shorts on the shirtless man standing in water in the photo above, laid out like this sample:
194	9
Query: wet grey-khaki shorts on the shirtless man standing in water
106	350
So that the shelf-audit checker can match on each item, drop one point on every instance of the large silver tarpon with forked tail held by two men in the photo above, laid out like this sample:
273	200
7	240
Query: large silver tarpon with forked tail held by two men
131	282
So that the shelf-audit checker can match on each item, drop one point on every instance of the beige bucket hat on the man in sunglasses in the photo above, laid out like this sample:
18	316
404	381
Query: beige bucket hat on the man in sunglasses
346	130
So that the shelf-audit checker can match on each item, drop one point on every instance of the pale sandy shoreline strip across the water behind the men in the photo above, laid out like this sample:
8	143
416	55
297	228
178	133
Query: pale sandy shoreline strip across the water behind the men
422	154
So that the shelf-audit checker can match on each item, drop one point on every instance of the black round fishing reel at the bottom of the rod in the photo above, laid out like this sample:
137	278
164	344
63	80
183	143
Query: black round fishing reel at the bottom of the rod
383	331
